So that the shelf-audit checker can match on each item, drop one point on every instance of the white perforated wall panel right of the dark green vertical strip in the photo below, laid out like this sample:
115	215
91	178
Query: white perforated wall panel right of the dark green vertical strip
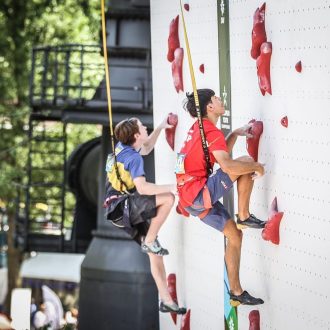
291	277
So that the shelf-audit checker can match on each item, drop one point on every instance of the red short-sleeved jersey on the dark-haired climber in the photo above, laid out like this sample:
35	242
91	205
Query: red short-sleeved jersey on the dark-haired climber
191	160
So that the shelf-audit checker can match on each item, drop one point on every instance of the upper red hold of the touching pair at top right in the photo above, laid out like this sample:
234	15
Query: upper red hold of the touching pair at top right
258	32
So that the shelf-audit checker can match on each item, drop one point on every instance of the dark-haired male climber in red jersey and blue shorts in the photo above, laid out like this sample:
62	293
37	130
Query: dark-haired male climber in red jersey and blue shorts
199	193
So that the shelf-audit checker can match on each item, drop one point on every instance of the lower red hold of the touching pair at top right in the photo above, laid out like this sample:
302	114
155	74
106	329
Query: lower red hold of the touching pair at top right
263	68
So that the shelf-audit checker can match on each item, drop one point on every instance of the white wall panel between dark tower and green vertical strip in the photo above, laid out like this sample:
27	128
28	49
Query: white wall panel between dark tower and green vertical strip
196	251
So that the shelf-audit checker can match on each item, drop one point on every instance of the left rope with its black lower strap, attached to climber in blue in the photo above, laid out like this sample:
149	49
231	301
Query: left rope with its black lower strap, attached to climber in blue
107	82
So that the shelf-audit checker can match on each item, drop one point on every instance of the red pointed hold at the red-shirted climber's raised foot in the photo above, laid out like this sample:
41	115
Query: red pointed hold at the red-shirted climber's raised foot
271	232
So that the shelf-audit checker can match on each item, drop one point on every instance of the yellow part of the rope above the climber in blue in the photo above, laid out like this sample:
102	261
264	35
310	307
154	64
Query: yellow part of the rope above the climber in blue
107	76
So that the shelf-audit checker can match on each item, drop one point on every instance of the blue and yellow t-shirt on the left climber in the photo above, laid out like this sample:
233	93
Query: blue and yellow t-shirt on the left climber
130	165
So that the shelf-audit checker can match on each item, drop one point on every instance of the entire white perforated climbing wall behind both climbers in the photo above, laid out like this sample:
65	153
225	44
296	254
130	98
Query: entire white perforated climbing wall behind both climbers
291	275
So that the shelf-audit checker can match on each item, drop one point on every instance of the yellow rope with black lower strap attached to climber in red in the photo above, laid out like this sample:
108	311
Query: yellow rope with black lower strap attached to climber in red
198	111
